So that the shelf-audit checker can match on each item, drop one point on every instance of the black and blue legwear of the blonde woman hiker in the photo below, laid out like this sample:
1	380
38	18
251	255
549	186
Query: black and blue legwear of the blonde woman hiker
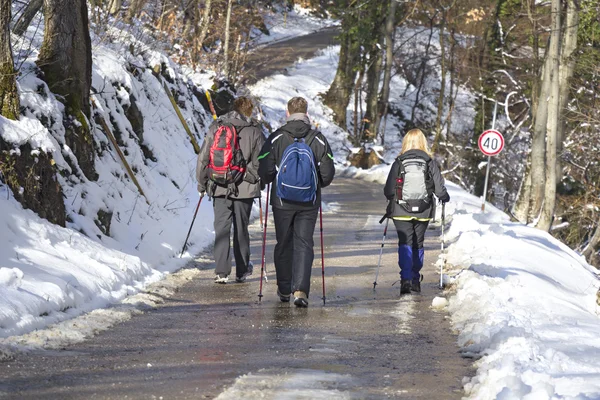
411	236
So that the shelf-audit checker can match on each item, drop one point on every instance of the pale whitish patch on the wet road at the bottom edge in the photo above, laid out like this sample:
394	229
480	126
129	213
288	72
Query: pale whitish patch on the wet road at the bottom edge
290	384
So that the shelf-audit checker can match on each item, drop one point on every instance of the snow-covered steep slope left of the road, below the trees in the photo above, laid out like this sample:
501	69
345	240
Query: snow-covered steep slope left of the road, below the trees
48	273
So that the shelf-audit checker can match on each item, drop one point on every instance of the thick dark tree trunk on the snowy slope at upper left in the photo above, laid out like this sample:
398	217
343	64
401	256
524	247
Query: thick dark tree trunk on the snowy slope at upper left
66	61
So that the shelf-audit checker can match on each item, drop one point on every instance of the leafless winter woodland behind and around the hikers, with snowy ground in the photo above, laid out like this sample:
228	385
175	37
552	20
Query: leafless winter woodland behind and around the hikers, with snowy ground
532	66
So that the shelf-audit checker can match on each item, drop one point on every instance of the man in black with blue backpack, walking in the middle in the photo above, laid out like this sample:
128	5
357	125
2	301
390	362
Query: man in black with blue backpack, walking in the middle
299	162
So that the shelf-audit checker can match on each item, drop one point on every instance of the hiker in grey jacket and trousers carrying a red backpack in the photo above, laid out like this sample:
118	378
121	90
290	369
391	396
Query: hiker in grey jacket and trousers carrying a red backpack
227	171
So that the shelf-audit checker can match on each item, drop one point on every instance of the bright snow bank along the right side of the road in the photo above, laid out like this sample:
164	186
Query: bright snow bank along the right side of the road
525	303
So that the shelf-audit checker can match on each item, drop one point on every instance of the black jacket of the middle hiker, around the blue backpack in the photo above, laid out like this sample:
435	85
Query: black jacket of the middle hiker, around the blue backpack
298	126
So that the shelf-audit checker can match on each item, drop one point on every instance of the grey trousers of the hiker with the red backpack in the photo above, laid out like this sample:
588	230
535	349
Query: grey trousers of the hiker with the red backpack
227	211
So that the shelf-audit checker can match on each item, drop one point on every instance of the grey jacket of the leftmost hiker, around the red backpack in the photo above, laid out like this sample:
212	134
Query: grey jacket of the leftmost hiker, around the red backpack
251	141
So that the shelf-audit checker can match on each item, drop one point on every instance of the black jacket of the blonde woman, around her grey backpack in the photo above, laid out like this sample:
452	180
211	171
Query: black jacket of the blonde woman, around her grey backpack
436	182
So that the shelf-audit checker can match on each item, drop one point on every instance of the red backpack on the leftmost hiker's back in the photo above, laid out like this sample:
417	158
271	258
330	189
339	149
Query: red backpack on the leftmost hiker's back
226	165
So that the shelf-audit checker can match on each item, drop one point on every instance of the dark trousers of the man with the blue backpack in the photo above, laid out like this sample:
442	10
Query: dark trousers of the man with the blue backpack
294	252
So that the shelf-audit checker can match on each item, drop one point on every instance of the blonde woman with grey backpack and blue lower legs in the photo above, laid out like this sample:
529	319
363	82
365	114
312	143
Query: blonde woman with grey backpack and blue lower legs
413	179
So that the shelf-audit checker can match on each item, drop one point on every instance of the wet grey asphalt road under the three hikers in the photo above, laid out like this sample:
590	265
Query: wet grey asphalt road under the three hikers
361	344
